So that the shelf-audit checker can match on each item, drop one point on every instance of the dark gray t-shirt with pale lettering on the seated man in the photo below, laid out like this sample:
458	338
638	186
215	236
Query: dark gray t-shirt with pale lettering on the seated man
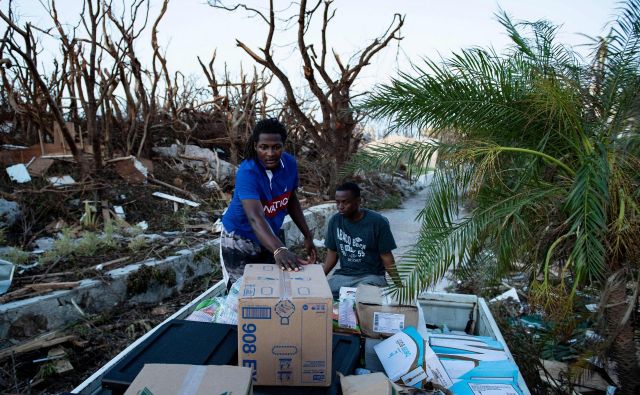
359	244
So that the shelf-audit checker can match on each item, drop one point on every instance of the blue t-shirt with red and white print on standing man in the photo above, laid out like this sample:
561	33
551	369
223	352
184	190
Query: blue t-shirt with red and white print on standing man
253	181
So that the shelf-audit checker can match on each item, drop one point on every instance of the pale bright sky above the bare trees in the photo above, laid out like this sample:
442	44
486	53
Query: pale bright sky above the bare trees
433	29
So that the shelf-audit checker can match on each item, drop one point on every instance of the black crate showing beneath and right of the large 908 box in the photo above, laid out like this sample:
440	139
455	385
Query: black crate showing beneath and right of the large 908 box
345	358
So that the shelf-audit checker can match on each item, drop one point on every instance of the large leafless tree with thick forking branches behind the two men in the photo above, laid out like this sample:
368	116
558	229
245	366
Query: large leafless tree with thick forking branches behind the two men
335	131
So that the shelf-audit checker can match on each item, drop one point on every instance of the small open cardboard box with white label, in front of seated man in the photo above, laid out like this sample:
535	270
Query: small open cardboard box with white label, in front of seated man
371	304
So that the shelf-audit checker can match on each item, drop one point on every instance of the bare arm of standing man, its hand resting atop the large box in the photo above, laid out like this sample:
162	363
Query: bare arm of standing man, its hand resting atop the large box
253	209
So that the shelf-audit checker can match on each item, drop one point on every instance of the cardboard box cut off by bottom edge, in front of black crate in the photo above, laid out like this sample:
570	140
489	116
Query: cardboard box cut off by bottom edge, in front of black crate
170	379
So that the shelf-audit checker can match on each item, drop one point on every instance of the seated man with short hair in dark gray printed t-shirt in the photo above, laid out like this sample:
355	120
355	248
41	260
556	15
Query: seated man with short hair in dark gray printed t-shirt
363	242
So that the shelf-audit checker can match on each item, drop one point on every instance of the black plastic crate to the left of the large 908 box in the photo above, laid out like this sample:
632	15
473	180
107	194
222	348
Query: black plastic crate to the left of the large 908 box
177	342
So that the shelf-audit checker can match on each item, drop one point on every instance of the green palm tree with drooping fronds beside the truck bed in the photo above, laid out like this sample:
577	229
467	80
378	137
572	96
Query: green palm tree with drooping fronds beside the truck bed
543	146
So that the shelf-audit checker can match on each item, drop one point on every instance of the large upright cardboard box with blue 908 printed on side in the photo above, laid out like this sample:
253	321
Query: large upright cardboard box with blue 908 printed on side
285	325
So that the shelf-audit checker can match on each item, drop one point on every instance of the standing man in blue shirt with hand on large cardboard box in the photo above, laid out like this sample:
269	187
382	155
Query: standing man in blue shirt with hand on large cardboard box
265	193
